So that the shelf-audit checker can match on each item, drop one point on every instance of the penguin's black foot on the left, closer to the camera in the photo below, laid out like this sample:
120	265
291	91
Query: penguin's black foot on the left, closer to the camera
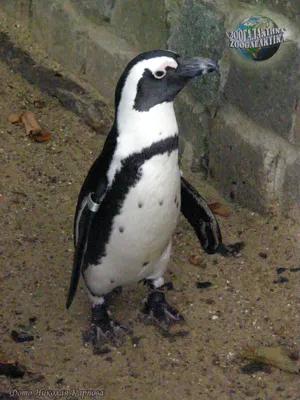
105	330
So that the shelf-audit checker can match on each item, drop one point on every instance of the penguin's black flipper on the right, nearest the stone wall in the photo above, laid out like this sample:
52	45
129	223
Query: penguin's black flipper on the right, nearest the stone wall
196	211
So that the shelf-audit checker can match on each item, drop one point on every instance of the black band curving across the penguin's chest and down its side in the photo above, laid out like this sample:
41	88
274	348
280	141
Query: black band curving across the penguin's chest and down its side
125	179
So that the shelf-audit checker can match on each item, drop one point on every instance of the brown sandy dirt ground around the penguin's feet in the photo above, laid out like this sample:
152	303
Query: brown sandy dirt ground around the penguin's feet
243	307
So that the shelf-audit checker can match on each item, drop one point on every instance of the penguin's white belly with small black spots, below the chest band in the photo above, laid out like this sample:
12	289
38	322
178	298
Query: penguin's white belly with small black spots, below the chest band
143	229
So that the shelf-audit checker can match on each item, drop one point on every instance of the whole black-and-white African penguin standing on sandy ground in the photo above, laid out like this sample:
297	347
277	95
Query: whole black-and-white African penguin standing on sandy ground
129	203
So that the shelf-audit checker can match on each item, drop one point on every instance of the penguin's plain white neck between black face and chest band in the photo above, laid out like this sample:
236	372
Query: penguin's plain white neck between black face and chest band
139	130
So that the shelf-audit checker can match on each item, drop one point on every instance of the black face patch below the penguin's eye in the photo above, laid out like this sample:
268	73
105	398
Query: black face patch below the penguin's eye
152	91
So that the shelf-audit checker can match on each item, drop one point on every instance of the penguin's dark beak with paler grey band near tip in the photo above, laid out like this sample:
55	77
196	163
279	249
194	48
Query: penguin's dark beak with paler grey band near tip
195	66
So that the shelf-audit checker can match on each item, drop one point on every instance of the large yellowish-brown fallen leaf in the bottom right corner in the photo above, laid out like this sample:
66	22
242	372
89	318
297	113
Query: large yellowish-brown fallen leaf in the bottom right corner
274	356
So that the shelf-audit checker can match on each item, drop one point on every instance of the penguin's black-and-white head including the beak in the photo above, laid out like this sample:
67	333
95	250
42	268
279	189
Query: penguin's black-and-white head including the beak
156	77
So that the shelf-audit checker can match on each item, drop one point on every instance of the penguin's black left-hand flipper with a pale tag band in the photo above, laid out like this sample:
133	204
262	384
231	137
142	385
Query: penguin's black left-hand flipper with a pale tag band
86	216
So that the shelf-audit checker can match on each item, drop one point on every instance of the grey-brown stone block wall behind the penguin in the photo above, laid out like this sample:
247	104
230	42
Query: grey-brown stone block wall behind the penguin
241	125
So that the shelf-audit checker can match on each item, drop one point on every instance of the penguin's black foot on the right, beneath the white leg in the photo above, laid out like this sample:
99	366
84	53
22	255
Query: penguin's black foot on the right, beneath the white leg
157	311
